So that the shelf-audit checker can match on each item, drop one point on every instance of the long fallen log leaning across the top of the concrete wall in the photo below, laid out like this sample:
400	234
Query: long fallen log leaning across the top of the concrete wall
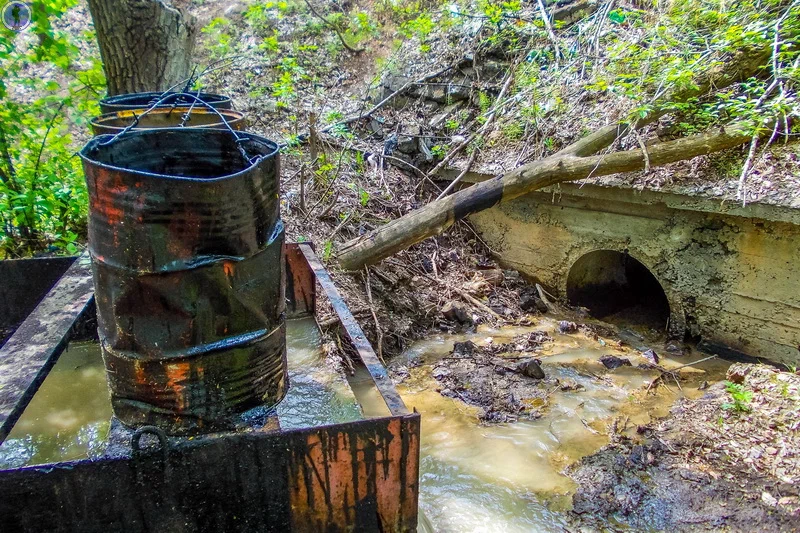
439	215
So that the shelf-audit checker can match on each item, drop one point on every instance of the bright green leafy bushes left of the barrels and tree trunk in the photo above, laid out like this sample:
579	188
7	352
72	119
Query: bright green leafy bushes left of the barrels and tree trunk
43	197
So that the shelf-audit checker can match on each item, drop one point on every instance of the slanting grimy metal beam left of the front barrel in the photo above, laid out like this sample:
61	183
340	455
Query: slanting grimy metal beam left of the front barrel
31	352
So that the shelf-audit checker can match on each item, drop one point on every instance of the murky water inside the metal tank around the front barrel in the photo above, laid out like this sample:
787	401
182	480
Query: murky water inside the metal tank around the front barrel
69	416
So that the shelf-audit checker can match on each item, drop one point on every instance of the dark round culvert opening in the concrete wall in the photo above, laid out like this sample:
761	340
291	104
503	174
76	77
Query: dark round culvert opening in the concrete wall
616	287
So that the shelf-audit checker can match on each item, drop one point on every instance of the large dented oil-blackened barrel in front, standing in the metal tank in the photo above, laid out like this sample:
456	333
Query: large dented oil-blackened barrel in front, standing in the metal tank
187	249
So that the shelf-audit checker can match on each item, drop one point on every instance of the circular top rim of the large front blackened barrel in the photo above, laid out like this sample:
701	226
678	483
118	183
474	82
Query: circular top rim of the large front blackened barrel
97	140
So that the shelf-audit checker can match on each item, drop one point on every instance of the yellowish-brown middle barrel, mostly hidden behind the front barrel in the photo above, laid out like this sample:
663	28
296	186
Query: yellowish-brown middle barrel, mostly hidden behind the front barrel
198	117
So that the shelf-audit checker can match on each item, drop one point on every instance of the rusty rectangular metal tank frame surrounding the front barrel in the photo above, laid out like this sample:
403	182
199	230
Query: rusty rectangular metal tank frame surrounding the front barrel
360	475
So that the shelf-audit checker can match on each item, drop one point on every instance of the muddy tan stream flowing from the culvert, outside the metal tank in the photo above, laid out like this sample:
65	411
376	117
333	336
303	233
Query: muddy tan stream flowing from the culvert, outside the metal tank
508	477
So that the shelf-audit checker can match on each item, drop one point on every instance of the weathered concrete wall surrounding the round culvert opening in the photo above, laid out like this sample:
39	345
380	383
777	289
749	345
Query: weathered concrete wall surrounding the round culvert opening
731	274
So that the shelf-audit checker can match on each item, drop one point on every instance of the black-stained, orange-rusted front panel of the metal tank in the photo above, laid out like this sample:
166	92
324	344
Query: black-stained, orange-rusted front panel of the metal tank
358	476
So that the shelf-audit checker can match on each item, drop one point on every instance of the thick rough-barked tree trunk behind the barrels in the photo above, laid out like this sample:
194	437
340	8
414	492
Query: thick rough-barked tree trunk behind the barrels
146	45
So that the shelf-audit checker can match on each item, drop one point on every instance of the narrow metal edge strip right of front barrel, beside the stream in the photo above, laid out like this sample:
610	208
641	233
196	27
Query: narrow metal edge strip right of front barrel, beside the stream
356	335
